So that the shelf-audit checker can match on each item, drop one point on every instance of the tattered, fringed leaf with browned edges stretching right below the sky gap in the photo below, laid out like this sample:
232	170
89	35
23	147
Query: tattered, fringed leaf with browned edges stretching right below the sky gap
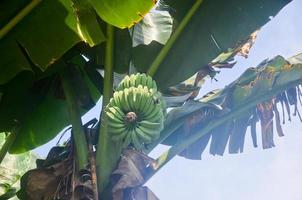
253	97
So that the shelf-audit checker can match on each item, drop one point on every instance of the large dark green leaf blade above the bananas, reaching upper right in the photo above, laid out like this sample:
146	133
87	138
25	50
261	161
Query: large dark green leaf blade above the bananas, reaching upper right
214	27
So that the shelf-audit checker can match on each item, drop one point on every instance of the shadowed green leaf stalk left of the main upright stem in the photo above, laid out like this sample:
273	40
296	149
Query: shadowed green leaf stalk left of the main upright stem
75	119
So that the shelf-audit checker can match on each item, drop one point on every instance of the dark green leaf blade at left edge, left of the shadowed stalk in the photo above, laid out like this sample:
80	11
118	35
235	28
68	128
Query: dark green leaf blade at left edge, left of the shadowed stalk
40	117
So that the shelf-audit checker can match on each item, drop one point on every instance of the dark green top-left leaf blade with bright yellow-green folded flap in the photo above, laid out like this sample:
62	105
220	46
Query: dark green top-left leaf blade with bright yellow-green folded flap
52	27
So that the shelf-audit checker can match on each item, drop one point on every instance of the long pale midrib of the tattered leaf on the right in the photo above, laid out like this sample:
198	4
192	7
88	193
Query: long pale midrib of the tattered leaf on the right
180	146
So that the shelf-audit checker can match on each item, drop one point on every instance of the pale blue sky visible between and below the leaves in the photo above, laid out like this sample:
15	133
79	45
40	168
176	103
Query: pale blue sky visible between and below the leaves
256	174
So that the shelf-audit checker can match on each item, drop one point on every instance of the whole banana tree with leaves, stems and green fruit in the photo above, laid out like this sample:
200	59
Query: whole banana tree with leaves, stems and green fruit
60	57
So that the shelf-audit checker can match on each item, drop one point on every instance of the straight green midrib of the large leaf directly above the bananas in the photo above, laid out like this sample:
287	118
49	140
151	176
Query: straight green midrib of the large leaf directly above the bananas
165	50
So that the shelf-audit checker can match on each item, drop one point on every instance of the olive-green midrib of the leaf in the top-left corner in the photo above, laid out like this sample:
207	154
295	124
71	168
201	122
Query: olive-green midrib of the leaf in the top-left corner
16	19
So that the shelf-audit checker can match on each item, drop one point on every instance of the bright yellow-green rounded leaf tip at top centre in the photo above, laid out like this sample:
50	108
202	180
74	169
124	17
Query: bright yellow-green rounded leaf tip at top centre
122	13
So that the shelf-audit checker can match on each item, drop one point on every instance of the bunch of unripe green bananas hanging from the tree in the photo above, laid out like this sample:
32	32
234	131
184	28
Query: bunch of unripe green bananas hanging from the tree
135	114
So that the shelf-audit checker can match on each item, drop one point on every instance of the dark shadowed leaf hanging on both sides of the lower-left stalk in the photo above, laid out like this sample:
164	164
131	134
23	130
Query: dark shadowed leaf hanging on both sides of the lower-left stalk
40	108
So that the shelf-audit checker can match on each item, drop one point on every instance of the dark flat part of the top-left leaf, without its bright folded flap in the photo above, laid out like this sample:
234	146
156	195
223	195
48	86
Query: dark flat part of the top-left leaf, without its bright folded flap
50	28
